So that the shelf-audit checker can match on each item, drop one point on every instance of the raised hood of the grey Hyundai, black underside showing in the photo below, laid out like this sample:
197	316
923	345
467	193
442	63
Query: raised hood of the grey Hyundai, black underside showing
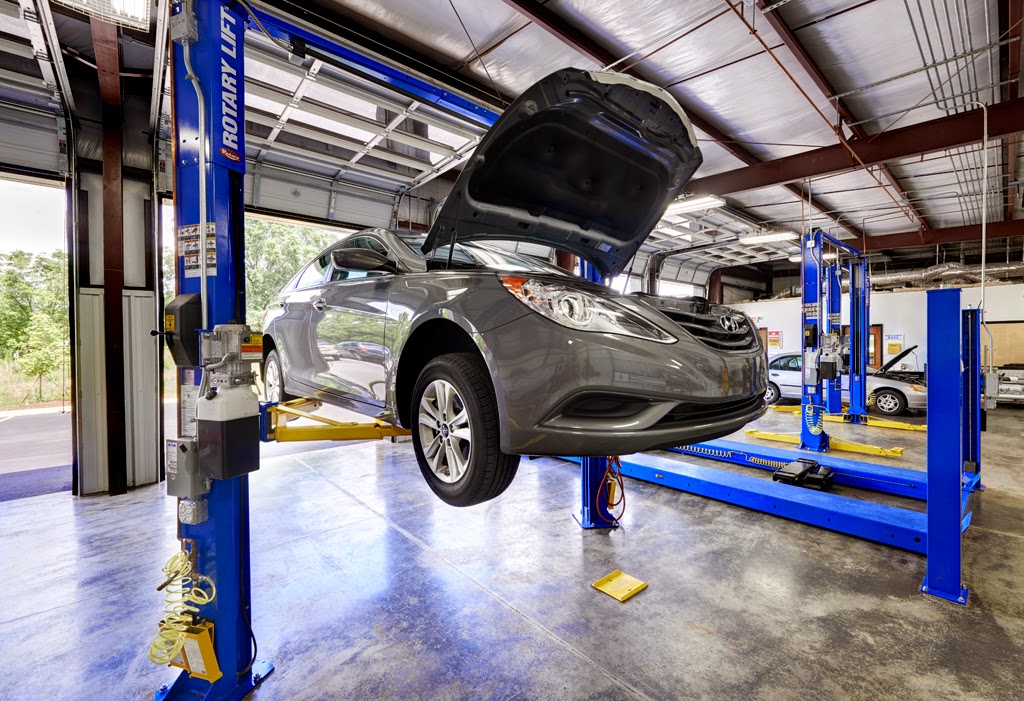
583	161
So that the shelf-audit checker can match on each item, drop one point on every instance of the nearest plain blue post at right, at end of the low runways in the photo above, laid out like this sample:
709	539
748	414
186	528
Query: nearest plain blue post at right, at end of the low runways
946	448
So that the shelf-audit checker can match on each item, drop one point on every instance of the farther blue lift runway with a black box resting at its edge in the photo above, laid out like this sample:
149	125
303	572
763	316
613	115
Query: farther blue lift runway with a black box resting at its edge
880	478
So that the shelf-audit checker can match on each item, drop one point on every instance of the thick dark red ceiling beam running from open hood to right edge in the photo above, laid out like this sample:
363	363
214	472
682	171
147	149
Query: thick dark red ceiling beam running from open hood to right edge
947	133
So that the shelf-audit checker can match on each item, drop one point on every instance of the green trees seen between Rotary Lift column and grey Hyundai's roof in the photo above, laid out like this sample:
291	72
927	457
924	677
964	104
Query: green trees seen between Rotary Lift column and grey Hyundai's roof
275	252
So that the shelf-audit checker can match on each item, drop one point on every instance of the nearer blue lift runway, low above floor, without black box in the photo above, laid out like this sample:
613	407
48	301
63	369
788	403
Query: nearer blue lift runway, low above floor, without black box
888	525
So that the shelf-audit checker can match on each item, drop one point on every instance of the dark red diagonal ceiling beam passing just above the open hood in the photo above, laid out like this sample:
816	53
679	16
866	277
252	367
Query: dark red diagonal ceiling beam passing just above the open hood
569	34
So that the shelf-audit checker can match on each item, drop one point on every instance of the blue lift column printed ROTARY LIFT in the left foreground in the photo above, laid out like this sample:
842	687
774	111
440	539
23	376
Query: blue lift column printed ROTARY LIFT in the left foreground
218	522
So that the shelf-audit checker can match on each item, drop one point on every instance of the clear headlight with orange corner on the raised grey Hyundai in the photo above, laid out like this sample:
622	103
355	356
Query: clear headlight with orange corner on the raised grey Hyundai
578	310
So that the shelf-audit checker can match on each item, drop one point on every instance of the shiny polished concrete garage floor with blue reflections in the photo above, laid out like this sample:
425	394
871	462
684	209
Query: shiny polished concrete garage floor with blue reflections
366	587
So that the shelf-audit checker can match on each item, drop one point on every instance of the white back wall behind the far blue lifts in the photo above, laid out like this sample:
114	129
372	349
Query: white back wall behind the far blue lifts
899	313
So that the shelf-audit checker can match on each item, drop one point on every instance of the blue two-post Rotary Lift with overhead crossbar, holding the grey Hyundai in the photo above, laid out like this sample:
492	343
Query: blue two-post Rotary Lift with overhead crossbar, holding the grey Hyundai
221	545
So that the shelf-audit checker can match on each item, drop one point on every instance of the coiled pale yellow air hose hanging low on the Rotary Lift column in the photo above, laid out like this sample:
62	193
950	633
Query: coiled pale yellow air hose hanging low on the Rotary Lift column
184	595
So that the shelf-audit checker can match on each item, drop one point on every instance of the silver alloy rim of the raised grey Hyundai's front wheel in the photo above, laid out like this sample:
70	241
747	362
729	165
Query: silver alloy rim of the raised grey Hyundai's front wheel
445	431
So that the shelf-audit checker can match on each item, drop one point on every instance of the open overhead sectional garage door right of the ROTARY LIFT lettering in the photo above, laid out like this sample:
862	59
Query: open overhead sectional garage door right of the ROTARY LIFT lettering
325	142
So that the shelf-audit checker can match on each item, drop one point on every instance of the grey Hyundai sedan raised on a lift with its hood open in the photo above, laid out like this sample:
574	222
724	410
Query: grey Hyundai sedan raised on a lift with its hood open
488	356
